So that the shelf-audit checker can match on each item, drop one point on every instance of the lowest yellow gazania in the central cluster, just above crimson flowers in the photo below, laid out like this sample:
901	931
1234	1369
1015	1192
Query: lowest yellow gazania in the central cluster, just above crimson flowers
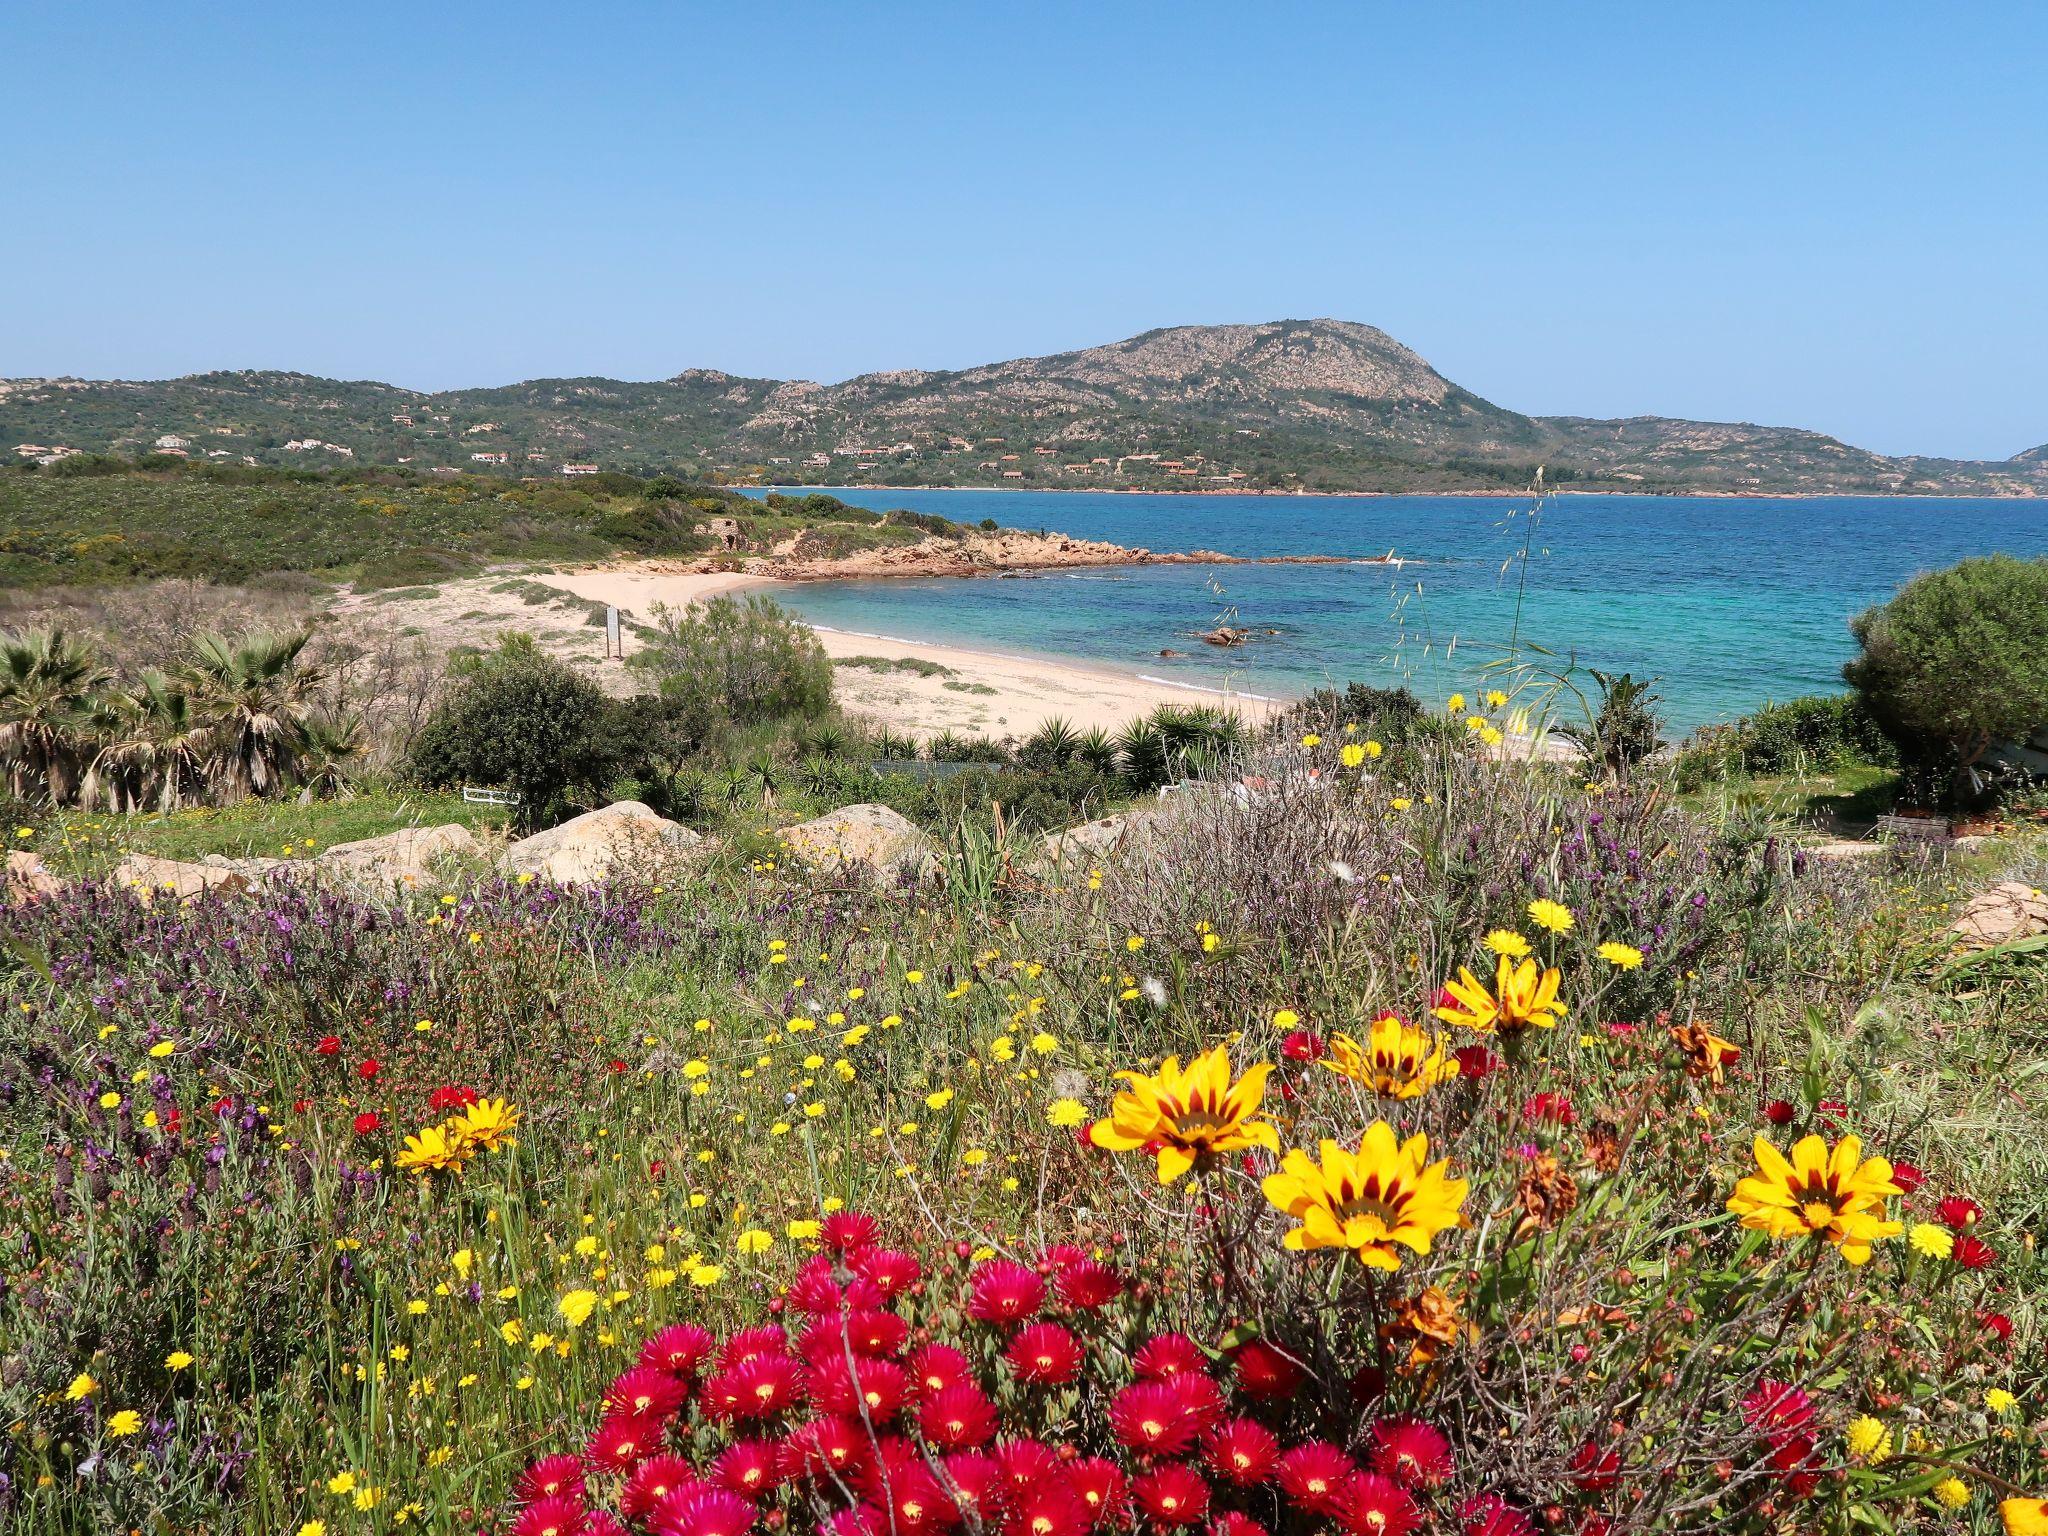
1371	1201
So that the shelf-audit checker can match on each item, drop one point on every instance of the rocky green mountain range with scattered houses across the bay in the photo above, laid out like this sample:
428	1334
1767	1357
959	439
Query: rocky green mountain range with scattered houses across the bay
1293	404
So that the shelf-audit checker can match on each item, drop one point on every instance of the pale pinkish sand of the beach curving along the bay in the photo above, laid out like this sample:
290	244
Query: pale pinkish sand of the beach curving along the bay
978	691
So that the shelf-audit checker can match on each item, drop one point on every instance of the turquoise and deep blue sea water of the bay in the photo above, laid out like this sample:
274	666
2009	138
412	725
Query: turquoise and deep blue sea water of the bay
1732	603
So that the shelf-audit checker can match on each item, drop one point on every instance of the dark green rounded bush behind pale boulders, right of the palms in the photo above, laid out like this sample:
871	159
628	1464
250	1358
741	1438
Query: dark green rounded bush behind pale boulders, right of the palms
521	720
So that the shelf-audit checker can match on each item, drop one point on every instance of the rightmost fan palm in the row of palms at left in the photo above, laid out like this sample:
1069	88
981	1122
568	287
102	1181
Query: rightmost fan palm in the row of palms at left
253	695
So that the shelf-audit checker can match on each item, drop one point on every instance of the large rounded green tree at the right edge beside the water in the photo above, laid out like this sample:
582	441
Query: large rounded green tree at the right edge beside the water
1959	658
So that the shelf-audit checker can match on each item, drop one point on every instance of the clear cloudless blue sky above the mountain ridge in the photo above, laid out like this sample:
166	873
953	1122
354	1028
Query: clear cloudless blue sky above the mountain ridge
1826	216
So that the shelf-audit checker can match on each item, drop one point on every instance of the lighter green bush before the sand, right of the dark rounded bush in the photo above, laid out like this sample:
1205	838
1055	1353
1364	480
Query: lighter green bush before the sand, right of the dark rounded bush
736	663
